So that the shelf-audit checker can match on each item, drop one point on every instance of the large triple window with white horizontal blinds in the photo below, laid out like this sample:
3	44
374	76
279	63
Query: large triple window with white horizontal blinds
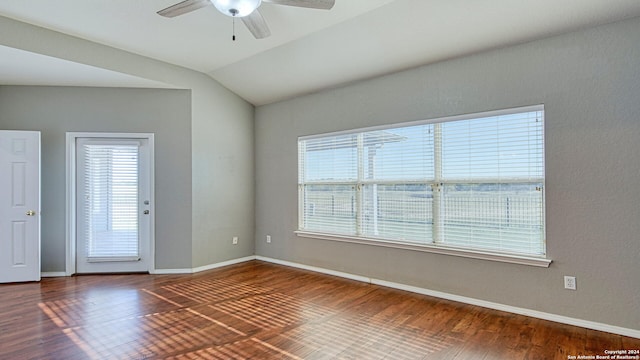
473	182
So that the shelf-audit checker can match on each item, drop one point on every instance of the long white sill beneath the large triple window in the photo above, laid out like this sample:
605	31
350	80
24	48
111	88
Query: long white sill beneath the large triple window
436	249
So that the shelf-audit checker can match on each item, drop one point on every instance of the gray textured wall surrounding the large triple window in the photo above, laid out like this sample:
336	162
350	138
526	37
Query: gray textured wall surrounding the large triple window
589	82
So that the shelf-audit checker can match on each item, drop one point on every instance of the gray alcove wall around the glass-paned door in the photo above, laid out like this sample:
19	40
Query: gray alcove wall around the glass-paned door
56	110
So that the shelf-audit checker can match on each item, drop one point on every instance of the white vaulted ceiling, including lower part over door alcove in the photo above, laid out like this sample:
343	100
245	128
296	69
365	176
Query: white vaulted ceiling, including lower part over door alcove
309	50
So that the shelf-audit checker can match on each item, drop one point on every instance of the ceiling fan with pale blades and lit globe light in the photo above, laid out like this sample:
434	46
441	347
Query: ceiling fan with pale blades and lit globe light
247	10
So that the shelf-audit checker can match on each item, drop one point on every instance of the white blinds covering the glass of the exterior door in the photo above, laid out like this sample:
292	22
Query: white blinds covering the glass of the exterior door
111	196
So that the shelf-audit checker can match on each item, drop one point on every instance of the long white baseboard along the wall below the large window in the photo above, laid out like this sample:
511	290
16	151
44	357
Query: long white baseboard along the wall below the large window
466	300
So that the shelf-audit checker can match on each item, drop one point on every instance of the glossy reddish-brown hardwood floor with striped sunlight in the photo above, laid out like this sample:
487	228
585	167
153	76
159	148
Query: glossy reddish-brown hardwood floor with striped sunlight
257	310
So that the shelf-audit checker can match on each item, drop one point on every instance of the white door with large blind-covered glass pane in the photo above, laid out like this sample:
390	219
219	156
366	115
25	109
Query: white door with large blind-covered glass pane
113	205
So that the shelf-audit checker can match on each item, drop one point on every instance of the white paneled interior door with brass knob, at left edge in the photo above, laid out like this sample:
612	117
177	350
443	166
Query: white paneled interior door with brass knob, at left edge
19	206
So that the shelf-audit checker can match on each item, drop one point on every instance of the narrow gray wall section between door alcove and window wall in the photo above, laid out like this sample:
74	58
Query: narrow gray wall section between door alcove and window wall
223	180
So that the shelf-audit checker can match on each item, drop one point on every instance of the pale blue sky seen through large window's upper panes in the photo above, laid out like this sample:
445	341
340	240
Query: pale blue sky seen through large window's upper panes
496	147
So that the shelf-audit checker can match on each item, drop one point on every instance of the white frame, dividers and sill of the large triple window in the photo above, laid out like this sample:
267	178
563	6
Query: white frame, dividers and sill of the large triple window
436	246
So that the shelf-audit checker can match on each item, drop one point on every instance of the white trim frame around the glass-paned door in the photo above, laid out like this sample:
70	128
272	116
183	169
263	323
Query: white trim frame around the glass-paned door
71	211
